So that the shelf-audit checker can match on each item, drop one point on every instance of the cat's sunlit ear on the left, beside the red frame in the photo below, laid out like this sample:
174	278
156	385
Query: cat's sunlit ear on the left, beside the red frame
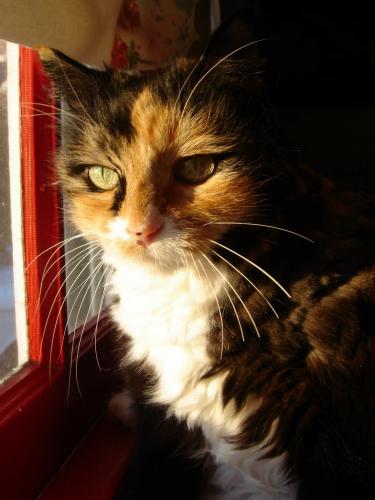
75	82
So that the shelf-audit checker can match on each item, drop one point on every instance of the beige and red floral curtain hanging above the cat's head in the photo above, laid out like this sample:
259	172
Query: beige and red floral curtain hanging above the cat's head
142	33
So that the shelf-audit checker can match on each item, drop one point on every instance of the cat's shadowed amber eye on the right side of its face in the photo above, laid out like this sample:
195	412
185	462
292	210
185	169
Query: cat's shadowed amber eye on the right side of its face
196	169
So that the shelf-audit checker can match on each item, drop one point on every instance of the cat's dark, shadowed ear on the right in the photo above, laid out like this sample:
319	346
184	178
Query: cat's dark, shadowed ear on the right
234	43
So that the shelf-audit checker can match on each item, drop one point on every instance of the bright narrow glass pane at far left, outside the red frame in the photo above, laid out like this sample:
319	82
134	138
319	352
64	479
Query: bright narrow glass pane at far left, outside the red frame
13	345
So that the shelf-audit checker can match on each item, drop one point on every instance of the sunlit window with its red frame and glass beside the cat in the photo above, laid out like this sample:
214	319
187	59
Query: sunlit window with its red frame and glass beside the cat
38	428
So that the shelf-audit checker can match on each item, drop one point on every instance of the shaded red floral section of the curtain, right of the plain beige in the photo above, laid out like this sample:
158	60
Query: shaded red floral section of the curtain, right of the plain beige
150	33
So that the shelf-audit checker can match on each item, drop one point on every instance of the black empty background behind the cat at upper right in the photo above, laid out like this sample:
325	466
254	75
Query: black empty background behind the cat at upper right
320	76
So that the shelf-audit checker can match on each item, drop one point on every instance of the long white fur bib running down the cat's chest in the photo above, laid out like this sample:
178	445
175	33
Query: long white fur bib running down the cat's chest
168	317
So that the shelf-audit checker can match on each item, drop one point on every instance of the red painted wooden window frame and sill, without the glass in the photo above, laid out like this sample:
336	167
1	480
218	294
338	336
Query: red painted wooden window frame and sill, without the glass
38	429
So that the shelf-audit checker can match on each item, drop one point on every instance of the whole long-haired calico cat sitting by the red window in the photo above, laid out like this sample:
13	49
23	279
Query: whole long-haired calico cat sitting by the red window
244	284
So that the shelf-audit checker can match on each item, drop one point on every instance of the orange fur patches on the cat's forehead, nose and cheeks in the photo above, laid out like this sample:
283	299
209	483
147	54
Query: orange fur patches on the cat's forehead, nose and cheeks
160	138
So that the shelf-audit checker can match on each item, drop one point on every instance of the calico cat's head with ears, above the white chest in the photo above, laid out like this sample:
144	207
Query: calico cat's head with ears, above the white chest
151	161
